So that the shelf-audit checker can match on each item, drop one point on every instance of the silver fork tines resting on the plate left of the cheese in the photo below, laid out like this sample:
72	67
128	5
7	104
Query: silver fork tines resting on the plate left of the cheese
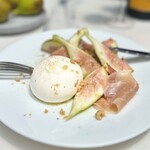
11	70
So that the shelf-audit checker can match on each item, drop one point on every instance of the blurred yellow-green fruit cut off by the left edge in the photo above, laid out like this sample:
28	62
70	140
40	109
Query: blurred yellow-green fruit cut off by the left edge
4	10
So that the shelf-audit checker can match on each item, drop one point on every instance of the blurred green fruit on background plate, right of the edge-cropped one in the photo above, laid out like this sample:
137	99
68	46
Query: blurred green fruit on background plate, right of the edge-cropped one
29	7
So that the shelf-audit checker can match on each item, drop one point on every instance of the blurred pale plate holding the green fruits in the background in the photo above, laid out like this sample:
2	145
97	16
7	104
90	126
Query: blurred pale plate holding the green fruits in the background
20	24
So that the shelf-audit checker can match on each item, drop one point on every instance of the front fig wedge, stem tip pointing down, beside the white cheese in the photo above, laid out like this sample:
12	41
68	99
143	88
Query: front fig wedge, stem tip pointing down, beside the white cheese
90	90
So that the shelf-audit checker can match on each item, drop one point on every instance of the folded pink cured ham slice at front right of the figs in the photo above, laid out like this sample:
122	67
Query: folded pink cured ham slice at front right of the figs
119	90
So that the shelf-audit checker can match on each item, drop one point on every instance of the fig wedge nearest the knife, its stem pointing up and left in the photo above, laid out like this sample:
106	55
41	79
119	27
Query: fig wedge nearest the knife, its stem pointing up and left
107	58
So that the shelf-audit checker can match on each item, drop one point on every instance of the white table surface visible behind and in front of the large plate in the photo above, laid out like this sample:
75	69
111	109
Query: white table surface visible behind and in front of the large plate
139	31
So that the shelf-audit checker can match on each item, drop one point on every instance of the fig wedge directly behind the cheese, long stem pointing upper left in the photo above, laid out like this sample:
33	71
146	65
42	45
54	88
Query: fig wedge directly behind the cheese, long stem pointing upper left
86	62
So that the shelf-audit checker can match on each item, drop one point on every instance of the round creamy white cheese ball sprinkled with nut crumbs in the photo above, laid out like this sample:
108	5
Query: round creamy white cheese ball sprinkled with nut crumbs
55	79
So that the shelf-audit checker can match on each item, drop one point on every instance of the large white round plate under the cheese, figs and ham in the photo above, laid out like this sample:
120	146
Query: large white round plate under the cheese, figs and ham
21	112
